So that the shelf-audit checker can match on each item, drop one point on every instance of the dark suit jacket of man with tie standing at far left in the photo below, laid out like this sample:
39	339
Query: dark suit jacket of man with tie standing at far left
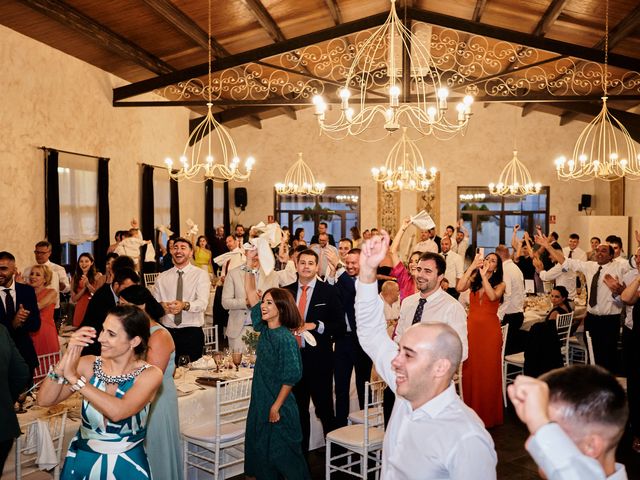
25	296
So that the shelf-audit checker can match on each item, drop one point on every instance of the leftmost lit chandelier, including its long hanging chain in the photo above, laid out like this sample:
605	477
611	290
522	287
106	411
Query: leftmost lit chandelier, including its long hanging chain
197	162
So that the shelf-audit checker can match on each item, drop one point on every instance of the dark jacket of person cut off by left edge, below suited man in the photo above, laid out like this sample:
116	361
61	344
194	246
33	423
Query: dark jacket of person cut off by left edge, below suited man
14	379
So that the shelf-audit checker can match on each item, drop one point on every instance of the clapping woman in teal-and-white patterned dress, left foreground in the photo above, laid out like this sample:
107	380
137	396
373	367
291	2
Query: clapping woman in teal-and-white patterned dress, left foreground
116	397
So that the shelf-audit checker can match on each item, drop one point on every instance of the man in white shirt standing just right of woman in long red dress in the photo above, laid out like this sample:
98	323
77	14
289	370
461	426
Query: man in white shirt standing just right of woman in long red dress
511	310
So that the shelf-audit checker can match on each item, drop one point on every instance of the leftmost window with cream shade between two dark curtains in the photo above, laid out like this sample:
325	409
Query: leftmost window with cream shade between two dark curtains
78	184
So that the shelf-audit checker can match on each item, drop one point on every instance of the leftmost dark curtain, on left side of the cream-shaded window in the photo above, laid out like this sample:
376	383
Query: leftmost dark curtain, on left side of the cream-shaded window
52	203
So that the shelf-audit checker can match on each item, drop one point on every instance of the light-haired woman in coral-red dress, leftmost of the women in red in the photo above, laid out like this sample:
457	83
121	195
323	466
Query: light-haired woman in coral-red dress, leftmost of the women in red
45	340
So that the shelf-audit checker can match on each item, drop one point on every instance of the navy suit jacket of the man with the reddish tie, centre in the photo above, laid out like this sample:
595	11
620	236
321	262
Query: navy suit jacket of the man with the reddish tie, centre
325	307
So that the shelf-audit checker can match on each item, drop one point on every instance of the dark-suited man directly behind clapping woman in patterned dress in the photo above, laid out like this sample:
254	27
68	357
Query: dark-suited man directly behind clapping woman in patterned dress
105	298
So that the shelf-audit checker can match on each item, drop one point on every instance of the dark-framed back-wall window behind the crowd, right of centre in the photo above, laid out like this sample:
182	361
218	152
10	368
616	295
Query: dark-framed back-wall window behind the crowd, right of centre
490	218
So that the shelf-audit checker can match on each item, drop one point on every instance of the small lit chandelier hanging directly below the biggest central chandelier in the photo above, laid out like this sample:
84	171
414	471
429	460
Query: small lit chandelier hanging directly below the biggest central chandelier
404	168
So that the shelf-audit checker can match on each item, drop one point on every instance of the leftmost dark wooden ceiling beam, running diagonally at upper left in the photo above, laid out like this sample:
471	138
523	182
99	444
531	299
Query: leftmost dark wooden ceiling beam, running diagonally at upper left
101	35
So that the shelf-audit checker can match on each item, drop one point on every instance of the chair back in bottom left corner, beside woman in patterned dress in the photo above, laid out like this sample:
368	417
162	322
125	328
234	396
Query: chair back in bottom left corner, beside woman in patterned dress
27	446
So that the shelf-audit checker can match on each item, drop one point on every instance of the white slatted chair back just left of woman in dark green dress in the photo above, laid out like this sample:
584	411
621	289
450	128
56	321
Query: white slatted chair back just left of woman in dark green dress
232	403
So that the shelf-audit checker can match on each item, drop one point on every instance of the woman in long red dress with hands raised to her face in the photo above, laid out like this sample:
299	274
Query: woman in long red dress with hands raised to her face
482	371
